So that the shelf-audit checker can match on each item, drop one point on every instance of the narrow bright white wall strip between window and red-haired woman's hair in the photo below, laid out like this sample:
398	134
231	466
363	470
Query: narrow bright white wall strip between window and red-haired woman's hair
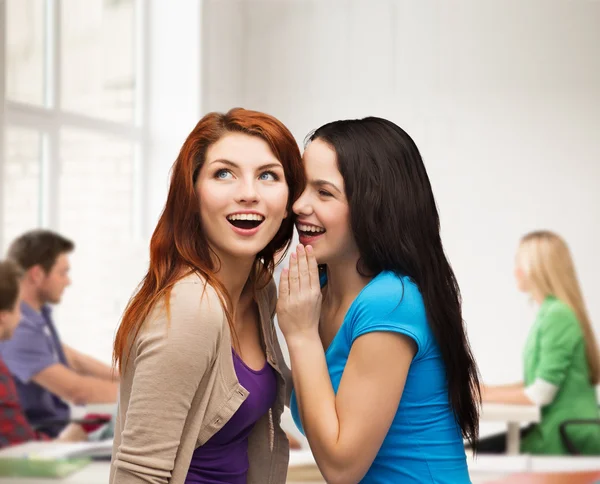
174	94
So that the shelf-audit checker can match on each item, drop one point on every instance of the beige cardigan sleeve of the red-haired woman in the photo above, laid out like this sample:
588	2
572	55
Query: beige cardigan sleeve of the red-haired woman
172	357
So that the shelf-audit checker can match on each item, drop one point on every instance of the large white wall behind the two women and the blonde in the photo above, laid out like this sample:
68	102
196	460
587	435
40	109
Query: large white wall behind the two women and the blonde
501	97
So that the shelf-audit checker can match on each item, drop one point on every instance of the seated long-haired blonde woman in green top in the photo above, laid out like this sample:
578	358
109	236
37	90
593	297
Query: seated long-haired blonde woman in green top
561	357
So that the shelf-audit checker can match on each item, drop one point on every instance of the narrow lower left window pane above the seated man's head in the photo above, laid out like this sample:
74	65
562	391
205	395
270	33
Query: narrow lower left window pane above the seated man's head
21	183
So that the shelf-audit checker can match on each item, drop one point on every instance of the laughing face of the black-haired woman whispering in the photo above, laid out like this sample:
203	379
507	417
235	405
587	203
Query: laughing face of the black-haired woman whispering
322	209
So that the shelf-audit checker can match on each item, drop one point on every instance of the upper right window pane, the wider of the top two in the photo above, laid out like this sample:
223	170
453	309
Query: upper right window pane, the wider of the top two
98	58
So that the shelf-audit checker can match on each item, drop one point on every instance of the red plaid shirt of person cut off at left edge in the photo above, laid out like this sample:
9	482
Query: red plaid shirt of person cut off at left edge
14	427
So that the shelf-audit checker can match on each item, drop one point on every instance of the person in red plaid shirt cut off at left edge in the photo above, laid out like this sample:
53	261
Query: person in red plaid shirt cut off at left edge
14	428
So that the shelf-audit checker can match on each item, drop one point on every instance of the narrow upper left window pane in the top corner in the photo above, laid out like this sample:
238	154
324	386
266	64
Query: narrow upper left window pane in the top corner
25	51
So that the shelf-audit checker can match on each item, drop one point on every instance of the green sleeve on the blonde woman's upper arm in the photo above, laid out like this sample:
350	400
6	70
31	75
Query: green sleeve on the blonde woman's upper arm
559	335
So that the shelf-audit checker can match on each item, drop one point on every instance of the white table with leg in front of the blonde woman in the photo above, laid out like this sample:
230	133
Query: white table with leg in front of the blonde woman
513	416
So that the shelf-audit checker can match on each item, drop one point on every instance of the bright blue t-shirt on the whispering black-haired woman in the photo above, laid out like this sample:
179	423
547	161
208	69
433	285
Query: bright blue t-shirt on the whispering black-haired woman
424	443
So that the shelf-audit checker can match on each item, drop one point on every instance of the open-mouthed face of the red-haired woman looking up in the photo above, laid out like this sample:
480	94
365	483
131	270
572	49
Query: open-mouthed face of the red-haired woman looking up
242	194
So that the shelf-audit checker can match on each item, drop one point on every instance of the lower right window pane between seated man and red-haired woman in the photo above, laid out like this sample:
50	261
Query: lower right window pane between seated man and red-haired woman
95	204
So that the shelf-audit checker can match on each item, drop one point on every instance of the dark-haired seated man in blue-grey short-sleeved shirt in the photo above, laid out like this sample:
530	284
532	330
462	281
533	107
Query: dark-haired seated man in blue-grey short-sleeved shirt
48	373
